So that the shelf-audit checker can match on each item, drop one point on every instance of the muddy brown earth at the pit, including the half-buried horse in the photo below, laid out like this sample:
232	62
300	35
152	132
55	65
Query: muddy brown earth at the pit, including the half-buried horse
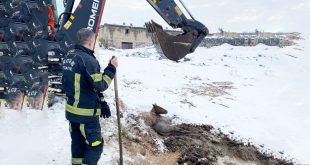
188	144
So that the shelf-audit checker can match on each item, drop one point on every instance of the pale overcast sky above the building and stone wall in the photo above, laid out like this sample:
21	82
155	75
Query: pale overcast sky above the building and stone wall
232	15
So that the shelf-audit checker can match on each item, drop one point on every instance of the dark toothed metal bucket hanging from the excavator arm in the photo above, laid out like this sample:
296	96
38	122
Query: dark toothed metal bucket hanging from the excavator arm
174	47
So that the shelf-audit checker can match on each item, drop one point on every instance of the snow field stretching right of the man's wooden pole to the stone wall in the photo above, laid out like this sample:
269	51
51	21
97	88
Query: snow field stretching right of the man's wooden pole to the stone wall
269	103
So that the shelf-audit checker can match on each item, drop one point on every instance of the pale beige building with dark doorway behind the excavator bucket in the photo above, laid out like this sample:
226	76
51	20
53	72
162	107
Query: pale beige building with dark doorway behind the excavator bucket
125	37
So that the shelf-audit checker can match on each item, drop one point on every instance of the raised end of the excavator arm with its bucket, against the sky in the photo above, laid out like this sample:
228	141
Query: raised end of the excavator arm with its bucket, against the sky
175	47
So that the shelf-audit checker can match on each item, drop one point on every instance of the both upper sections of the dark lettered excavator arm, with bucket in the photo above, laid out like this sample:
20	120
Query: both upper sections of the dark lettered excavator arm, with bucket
88	13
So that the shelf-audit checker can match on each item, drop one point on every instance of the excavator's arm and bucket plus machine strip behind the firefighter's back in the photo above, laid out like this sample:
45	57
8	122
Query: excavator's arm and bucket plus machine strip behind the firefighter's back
88	13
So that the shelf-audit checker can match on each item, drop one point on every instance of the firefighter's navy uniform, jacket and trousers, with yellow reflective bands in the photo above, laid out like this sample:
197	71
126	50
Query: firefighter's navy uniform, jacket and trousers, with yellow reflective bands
82	81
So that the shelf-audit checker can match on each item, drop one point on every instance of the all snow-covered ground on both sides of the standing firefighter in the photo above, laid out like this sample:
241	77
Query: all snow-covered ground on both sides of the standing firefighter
260	93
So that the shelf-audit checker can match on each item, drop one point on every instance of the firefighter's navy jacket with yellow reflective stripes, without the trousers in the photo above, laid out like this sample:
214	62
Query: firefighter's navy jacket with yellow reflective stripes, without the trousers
82	81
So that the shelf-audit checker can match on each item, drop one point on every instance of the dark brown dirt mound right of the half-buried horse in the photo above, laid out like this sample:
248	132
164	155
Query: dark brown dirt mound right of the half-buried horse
199	145
